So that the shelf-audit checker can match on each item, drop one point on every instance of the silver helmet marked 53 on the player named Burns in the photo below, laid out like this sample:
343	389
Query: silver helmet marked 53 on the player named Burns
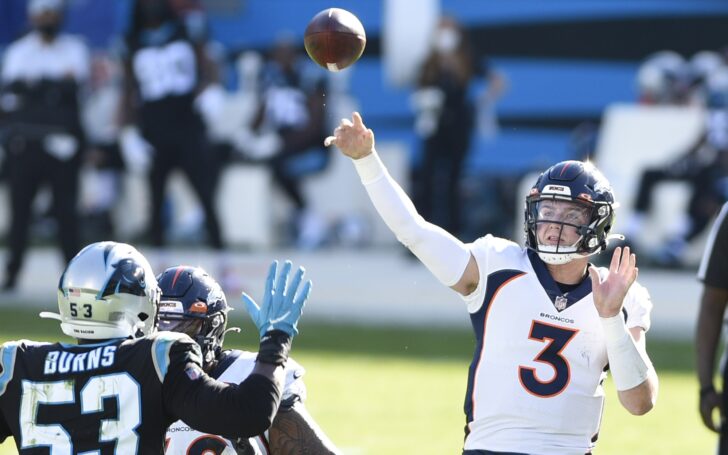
108	290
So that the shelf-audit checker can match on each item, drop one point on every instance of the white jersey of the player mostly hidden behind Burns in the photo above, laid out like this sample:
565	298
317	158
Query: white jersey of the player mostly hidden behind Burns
181	439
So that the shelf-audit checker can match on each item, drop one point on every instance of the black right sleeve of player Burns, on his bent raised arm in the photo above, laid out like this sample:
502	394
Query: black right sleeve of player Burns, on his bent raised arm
243	410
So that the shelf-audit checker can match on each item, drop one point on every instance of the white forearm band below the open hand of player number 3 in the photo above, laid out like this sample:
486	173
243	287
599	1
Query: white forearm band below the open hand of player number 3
629	368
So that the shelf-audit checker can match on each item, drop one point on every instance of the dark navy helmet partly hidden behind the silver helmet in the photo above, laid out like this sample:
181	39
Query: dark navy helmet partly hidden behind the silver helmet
194	303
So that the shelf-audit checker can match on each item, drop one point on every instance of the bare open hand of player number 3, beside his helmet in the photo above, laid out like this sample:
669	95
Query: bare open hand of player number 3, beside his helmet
609	294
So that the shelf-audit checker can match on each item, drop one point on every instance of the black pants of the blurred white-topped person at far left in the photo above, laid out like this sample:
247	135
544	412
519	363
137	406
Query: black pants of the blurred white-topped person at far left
29	167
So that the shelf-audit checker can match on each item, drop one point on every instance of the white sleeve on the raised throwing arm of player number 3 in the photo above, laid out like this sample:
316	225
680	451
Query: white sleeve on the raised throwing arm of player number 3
444	255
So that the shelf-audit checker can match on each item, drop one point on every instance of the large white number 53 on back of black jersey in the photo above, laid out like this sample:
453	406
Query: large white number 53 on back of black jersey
122	429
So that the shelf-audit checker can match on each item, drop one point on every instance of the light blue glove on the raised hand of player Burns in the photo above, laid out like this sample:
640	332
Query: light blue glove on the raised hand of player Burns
282	306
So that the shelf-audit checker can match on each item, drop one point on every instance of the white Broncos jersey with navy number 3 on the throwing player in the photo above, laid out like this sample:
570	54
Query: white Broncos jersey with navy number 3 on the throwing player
535	382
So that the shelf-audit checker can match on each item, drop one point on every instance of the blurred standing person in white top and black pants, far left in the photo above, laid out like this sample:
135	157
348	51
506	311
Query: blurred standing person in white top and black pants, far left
43	74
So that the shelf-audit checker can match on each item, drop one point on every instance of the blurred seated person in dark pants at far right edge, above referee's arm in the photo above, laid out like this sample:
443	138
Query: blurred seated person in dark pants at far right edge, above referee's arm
704	167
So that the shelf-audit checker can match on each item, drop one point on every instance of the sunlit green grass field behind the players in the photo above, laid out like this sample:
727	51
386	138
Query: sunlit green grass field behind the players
391	391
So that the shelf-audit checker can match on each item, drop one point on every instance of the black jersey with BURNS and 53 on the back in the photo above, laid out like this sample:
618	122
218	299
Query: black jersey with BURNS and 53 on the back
116	397
